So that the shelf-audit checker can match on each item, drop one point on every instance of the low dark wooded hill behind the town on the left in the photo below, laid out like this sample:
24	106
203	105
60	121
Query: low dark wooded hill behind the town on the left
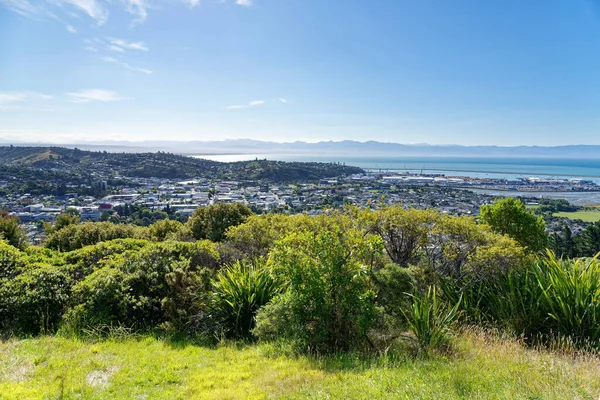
163	165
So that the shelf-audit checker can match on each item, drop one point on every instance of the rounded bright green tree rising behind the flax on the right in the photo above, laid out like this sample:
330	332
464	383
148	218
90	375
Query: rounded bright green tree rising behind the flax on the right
510	217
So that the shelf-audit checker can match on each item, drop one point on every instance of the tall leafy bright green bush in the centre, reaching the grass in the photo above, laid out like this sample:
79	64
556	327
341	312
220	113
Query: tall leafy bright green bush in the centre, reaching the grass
329	303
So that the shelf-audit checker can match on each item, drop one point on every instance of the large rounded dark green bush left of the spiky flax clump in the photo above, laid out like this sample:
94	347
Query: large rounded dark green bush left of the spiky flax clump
144	289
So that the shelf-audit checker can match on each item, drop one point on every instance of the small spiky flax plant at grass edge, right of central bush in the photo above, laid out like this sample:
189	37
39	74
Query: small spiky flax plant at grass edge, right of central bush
430	320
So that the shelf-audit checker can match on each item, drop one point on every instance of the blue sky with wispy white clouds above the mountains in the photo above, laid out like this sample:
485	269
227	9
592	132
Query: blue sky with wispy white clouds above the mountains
503	72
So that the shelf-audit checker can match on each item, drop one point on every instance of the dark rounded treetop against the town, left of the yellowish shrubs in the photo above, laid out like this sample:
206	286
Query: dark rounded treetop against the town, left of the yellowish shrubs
212	222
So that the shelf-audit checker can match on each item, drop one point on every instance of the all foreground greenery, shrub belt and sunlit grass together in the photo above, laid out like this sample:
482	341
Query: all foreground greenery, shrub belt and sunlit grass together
357	303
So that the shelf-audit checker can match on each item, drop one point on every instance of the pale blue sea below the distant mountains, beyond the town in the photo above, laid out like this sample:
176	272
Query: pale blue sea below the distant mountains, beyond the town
509	168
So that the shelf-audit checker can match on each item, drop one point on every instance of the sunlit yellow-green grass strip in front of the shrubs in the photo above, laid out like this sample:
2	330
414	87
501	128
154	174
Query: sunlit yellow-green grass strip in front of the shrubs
483	366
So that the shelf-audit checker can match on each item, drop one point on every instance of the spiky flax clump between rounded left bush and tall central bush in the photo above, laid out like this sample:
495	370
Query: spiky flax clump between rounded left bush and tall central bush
239	291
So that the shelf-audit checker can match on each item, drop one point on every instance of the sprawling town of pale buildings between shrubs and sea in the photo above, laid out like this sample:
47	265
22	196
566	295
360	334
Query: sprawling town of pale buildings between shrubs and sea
178	199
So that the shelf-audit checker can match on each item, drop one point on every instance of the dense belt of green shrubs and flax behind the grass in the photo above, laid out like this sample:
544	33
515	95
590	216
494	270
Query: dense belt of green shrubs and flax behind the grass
352	279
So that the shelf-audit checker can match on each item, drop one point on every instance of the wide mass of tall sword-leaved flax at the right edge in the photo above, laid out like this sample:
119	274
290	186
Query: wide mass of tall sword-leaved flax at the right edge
549	299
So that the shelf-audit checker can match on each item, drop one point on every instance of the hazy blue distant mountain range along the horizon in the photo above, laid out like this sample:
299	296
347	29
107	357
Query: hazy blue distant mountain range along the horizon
346	147
